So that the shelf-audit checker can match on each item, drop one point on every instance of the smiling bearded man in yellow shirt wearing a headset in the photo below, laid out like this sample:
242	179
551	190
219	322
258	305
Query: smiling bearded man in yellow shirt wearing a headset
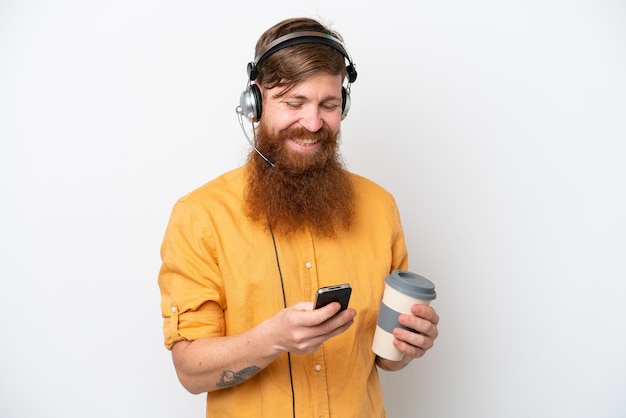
244	254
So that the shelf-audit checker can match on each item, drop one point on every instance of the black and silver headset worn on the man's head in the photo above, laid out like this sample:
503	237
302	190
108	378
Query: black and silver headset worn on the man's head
250	100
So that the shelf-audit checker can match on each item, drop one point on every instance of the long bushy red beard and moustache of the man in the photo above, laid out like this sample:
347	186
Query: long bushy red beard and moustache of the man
304	190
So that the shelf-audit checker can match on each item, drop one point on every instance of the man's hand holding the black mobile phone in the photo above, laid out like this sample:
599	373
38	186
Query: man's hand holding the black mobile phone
300	329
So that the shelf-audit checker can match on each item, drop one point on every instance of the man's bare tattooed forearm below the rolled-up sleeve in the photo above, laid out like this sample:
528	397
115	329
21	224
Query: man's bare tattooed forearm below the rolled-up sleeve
210	364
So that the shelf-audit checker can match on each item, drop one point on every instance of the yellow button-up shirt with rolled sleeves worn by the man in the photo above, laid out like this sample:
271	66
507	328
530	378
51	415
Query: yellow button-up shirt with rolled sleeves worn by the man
219	277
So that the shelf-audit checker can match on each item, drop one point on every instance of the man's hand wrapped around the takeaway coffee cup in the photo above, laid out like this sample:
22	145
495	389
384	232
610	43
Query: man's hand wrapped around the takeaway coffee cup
415	344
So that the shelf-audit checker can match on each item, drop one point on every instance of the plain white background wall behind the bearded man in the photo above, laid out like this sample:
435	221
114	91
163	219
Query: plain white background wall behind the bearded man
498	125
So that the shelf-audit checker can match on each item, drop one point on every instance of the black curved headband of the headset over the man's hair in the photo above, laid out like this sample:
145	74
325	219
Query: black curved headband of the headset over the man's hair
297	38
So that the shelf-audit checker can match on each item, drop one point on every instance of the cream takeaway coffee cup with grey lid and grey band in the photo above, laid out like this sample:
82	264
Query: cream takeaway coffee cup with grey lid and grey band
403	289
